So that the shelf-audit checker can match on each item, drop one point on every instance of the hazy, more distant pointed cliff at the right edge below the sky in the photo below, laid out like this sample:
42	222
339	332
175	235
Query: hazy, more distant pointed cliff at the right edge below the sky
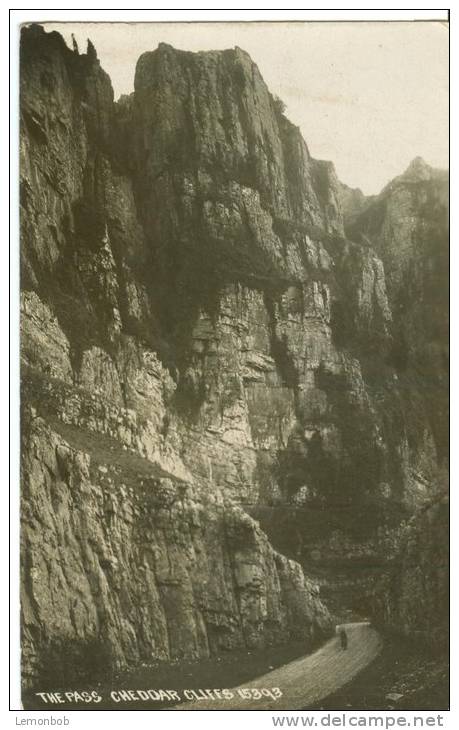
408	227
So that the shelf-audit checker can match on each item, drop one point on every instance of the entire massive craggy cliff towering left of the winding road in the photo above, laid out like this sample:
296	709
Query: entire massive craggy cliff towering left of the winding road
200	341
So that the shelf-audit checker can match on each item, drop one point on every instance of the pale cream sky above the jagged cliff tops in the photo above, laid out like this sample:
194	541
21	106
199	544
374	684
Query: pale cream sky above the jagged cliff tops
368	96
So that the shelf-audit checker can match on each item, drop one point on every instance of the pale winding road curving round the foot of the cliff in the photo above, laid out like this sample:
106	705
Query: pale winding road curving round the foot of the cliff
305	681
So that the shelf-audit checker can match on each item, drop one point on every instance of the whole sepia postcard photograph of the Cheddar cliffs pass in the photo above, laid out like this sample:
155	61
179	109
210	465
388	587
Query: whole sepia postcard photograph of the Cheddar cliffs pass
234	359
